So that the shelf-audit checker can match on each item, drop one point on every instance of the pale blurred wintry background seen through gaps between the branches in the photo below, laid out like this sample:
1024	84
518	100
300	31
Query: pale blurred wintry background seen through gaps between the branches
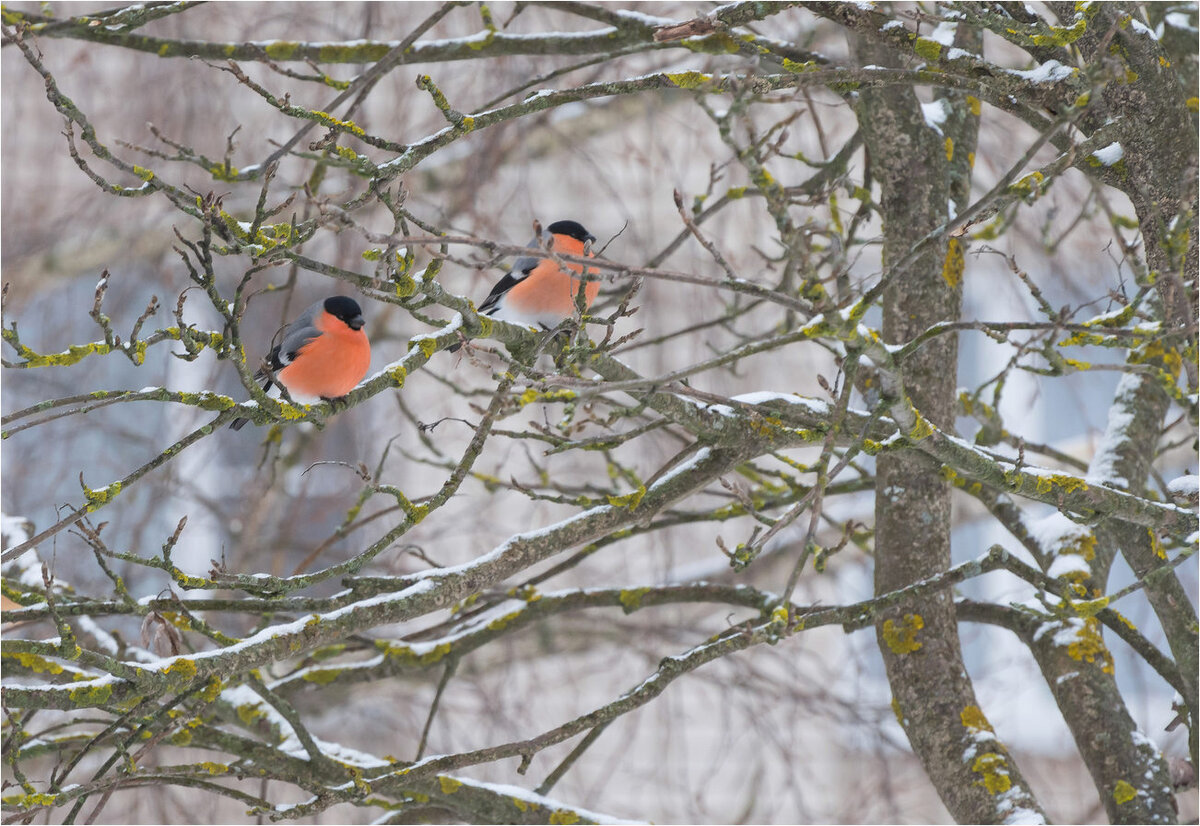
802	732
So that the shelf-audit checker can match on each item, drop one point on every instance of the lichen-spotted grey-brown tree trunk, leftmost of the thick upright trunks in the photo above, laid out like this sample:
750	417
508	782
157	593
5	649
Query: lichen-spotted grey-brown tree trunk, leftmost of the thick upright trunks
934	698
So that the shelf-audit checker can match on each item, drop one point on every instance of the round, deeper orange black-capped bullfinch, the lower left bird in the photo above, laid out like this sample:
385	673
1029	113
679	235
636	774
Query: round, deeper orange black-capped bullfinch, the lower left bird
323	354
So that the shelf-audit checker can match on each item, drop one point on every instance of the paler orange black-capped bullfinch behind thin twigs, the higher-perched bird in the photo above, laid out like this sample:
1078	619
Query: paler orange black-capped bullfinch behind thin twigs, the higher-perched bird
537	292
